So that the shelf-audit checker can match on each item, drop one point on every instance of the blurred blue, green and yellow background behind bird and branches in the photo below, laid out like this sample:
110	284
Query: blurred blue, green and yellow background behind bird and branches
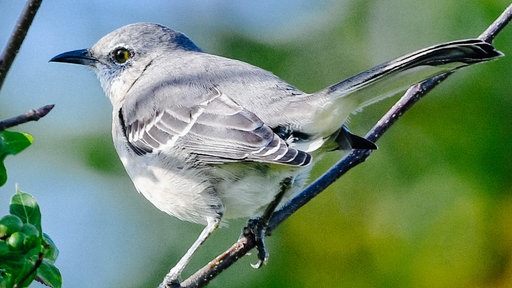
431	208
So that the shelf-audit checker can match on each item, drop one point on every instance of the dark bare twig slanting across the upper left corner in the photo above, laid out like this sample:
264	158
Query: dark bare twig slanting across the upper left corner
17	37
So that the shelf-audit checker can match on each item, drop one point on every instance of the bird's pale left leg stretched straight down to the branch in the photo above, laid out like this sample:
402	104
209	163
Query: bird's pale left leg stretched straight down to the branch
171	279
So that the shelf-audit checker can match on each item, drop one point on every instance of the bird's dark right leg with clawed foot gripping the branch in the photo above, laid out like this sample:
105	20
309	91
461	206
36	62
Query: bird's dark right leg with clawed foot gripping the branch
256	227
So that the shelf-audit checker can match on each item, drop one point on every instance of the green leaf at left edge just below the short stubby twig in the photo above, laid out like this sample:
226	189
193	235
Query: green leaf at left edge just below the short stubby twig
11	143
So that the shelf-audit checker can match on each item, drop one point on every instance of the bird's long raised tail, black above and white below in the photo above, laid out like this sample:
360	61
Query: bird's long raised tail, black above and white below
338	101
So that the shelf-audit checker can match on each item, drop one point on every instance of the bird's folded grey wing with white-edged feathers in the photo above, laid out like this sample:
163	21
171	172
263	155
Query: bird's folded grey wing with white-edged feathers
217	130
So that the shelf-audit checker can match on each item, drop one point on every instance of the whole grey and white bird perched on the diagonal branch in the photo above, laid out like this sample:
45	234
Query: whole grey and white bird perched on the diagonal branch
207	138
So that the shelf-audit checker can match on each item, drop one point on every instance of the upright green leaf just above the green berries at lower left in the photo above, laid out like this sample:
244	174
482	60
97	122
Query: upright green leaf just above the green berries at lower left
25	206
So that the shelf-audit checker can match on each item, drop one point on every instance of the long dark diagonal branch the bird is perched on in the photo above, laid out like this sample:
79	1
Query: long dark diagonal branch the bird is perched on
204	275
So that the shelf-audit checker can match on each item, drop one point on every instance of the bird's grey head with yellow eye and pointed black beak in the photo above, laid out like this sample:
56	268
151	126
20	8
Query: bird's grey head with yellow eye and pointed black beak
122	56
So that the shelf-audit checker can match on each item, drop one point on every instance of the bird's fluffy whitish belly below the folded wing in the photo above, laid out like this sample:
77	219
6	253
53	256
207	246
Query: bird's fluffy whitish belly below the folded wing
195	193
